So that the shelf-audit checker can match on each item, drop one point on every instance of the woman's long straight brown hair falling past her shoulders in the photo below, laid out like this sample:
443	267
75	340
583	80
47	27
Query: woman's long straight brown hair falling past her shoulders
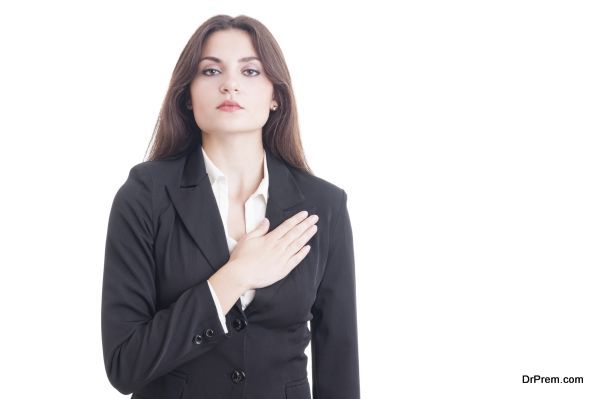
176	130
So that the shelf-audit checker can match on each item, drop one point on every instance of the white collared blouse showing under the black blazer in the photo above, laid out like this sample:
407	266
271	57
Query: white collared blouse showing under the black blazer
255	209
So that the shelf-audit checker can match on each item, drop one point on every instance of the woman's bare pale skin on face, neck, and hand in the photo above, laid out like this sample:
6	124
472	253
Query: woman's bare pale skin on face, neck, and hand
233	141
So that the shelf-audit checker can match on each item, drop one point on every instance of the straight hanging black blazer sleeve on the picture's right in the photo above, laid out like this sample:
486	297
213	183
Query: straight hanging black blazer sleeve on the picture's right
334	344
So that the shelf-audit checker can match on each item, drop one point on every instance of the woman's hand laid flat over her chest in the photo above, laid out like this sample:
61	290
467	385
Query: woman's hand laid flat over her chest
263	259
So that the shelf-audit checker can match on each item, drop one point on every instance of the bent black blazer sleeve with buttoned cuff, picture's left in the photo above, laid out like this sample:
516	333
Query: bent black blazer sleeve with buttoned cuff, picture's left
140	342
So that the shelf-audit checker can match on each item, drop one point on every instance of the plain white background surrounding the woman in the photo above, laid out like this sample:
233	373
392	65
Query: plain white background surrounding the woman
466	135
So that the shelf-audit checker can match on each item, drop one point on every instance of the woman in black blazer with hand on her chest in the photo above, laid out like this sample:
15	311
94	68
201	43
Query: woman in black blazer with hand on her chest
200	298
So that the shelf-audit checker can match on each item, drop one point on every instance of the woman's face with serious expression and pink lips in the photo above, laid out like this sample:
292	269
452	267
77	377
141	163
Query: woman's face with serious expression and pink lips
223	74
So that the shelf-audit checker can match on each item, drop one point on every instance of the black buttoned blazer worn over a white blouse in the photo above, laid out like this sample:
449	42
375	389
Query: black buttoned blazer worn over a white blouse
161	333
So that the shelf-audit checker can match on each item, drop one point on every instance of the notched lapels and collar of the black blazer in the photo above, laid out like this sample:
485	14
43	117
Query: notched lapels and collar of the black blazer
194	200
